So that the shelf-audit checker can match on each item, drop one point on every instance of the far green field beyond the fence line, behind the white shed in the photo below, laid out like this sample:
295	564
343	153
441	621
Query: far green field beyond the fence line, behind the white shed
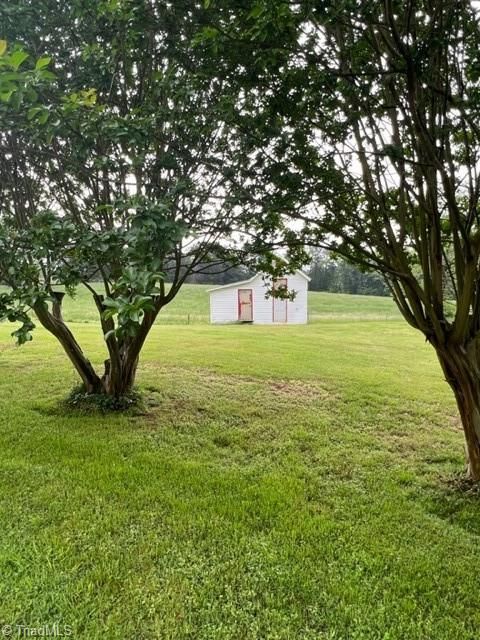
191	306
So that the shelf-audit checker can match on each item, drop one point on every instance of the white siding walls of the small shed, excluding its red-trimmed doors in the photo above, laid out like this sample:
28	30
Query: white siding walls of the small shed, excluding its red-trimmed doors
224	301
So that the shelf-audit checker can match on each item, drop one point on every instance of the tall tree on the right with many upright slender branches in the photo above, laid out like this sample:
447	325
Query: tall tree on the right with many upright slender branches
360	135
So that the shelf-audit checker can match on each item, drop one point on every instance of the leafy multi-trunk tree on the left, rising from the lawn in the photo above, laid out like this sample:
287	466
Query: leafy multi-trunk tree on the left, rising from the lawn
113	171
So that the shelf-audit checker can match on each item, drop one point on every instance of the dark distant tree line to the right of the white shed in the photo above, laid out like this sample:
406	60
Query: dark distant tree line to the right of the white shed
338	276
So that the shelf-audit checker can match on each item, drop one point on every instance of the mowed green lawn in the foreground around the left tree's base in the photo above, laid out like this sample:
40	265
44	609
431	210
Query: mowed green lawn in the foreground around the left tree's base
283	483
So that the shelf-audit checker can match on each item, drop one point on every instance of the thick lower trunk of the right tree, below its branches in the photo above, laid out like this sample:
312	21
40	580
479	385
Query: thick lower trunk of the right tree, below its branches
461	365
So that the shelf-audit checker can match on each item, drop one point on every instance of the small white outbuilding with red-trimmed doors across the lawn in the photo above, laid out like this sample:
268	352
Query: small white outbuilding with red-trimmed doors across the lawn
247	301
